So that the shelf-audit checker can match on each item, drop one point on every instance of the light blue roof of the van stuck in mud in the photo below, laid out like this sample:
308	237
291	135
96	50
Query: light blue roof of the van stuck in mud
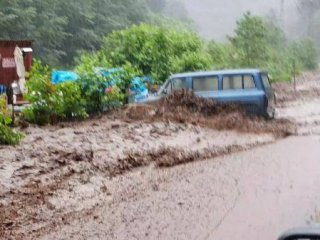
220	72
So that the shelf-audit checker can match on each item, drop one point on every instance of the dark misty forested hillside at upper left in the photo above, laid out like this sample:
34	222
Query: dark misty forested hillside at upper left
62	28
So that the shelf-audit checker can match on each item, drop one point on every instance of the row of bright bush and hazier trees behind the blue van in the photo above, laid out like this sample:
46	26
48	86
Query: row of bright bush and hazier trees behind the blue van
160	51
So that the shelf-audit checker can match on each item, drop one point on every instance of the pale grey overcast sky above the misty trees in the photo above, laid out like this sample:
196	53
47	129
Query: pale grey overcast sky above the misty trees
217	18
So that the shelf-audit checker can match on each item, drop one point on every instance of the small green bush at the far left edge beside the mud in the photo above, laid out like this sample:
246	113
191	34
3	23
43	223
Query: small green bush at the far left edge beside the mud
8	136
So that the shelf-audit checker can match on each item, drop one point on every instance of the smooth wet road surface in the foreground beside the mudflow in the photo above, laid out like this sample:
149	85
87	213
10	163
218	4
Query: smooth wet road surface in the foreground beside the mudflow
251	195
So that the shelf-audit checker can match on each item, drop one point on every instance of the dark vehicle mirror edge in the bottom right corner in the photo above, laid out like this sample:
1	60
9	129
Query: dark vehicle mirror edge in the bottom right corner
301	233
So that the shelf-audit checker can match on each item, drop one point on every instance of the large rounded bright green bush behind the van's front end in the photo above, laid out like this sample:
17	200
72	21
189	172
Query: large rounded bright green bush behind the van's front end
155	51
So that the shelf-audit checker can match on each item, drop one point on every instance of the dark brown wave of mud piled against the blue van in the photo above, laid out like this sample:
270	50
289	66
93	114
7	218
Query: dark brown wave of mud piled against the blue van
184	107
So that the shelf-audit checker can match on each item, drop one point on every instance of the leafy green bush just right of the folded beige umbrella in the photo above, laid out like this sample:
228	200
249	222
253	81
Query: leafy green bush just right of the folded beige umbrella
51	103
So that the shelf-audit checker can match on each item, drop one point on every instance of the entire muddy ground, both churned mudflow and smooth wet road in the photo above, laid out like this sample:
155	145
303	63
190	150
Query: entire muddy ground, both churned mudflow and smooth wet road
171	177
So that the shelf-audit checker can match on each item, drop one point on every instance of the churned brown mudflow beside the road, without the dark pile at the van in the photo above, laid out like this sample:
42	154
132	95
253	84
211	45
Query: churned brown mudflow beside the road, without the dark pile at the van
67	172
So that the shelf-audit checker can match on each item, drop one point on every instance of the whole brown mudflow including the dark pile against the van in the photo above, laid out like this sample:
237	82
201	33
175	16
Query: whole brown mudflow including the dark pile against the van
62	172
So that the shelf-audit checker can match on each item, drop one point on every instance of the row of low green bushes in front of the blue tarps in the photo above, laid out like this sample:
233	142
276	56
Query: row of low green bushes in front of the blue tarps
92	93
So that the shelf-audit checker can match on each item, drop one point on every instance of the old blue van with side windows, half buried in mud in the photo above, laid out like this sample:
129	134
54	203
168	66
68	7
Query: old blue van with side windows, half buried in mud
248	87
